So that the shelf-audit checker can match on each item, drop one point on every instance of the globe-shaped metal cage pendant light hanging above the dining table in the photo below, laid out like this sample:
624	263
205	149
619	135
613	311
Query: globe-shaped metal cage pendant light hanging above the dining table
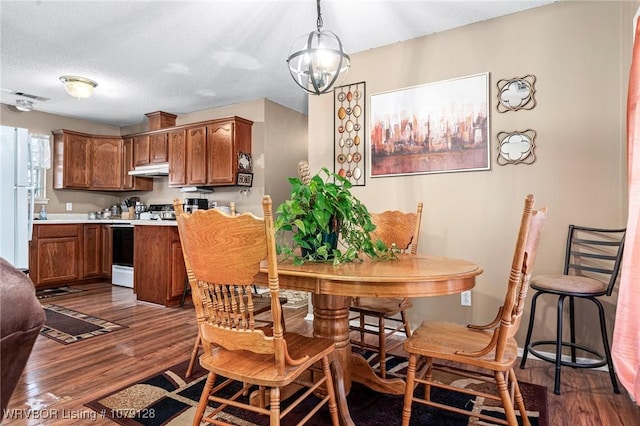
318	61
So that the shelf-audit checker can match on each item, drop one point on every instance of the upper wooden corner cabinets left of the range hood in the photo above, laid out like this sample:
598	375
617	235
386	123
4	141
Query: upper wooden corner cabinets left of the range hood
91	162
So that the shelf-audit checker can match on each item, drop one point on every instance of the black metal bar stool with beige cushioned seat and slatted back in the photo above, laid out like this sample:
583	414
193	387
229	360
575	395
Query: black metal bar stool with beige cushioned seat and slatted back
591	266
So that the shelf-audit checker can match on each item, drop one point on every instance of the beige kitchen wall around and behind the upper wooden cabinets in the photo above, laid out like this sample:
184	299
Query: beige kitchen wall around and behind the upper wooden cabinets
282	129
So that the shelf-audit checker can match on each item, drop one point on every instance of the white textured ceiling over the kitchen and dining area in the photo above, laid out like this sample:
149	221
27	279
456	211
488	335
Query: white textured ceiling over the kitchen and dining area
186	56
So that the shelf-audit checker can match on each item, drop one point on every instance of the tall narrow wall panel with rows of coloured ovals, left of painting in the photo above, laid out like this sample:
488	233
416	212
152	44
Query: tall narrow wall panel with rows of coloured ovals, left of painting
349	129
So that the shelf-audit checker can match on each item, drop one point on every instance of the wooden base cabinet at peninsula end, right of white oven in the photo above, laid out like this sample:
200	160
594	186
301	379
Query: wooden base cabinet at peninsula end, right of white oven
159	273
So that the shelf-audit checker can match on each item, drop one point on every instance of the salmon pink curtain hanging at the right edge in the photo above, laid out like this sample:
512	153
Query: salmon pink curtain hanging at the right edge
626	334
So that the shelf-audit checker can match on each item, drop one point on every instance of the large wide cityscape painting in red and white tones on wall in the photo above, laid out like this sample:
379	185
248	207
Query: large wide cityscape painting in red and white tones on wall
437	127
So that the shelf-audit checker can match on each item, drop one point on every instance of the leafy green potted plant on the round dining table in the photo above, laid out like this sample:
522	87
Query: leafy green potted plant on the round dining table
323	222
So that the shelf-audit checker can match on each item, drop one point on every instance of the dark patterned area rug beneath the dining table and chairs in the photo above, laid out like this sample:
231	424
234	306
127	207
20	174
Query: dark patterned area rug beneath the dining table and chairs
166	398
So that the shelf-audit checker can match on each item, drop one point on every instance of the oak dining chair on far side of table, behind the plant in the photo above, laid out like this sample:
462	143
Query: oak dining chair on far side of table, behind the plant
403	230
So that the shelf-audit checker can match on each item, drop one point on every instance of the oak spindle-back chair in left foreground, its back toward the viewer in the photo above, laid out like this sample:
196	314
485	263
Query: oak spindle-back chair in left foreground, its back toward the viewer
222	255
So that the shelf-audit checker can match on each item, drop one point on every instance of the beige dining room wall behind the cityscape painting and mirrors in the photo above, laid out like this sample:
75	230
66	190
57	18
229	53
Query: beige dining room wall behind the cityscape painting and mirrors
580	55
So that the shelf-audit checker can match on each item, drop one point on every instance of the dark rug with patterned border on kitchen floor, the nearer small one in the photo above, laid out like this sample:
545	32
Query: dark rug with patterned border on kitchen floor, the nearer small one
68	326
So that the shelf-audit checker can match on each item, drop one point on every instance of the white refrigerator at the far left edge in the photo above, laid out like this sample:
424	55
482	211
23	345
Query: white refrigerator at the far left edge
16	196
